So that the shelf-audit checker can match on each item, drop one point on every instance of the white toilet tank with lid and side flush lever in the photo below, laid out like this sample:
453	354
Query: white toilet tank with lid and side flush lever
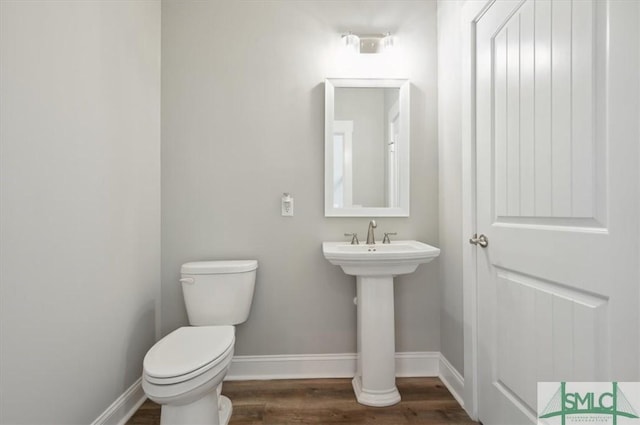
218	292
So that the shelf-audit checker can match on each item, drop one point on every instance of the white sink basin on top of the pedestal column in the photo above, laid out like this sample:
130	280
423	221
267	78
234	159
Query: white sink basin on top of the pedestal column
396	258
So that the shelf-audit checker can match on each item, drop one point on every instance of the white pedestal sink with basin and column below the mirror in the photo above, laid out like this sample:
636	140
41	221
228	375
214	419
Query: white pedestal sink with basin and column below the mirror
375	267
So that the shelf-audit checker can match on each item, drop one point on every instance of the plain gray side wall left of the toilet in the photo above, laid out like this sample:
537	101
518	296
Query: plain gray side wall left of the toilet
79	205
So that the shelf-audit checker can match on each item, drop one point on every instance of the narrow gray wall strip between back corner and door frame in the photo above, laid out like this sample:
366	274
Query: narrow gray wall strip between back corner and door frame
450	179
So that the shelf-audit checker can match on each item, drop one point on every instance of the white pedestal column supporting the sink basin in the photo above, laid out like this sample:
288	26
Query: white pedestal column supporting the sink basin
375	380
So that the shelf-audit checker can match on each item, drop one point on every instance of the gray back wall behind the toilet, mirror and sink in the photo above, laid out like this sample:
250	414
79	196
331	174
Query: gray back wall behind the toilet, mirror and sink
242	122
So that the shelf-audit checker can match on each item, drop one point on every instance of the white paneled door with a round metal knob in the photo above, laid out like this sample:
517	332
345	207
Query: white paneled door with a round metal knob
557	199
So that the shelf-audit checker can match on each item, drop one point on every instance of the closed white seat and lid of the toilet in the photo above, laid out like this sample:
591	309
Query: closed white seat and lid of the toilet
187	352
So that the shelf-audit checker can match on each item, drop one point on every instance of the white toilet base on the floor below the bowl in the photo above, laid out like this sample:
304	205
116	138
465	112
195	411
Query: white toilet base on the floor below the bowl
208	410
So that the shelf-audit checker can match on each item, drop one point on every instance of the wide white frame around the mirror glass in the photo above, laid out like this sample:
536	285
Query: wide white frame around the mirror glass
402	210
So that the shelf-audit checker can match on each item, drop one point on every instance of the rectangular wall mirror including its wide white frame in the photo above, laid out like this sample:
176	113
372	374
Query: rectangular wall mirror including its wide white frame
366	148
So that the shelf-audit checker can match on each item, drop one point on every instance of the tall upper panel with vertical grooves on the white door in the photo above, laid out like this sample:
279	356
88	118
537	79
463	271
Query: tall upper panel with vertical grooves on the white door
544	116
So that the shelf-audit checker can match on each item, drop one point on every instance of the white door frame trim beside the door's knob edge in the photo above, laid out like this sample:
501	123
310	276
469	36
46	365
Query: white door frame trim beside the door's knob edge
471	13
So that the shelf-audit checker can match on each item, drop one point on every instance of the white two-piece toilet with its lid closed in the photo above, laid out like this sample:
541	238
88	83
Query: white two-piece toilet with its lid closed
183	372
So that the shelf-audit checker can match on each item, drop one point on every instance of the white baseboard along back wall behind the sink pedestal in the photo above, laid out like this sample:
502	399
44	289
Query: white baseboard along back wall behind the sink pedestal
324	366
